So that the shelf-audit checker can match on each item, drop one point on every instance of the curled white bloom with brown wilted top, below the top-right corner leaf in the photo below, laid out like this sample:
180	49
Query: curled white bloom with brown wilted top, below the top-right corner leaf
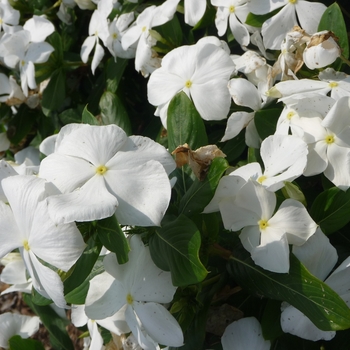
321	50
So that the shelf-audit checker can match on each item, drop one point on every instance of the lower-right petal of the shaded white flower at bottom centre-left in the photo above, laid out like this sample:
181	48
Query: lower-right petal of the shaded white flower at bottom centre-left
159	324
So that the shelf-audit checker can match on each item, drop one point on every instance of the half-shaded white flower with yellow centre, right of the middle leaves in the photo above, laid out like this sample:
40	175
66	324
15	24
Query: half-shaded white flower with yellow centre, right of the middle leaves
264	234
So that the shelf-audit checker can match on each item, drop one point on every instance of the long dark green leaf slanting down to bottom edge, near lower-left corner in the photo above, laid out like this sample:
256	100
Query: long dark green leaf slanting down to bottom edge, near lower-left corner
55	325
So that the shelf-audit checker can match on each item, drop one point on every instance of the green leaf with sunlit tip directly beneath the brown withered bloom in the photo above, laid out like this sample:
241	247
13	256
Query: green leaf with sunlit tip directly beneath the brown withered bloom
200	193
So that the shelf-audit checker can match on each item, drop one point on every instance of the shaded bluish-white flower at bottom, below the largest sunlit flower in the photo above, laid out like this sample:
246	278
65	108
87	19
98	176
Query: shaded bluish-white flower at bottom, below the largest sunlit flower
137	288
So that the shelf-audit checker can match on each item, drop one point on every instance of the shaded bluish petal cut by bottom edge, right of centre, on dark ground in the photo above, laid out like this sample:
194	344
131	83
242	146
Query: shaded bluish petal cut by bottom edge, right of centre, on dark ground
244	334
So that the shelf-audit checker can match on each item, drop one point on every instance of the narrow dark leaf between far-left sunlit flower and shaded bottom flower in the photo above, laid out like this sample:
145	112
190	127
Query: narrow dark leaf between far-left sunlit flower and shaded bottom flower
84	265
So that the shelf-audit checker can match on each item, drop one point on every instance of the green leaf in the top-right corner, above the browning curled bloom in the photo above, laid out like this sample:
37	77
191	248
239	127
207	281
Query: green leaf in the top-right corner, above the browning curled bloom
333	20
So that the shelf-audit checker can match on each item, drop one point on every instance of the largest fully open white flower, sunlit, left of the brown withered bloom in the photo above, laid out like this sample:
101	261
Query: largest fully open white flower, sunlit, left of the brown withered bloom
101	171
